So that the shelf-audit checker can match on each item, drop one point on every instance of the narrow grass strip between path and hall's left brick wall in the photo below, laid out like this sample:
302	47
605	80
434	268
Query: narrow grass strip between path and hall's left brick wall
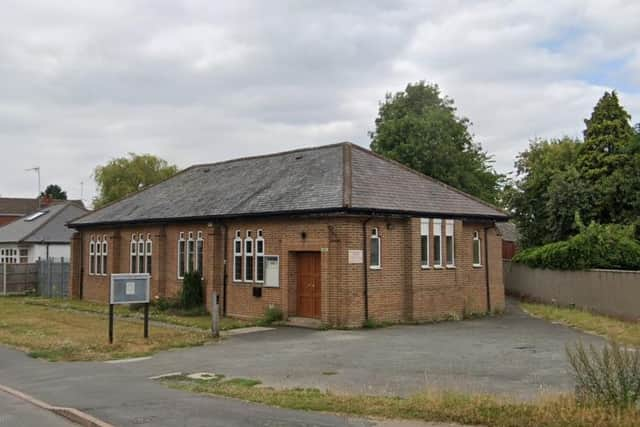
193	318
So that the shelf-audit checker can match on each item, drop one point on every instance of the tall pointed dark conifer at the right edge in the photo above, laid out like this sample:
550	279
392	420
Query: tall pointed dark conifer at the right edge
608	163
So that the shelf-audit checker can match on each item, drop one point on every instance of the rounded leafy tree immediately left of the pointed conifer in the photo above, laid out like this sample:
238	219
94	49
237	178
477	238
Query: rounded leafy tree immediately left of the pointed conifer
546	192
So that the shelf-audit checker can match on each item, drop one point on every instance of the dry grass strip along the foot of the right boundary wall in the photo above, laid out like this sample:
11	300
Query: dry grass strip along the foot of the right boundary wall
621	331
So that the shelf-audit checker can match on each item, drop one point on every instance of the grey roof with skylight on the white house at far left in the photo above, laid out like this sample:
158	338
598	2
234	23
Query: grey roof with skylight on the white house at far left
48	227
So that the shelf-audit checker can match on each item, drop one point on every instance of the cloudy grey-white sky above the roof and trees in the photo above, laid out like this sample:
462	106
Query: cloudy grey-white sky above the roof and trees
83	82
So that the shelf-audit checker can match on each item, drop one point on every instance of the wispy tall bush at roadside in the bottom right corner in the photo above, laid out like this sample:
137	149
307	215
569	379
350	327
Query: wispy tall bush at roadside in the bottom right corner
610	376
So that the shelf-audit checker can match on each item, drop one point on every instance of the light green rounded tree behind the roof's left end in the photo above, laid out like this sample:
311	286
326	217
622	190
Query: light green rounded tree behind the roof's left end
126	175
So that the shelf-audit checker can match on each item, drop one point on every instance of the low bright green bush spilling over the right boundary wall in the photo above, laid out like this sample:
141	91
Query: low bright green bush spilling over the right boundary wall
609	246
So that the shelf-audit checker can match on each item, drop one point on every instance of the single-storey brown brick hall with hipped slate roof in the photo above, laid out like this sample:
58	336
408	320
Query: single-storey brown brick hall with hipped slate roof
336	233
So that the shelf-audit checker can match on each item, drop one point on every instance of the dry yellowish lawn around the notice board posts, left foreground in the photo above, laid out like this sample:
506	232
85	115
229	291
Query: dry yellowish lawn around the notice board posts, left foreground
71	335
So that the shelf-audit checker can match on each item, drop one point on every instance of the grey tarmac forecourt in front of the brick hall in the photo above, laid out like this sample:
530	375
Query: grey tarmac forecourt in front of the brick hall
514	355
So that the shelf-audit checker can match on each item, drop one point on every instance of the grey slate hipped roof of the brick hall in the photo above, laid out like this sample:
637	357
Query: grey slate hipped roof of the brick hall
338	177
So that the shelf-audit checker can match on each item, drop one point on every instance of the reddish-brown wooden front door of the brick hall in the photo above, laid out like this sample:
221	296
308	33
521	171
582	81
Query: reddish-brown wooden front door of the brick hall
308	289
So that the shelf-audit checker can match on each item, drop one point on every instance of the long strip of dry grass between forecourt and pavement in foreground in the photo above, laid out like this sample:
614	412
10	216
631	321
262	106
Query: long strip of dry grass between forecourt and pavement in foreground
489	411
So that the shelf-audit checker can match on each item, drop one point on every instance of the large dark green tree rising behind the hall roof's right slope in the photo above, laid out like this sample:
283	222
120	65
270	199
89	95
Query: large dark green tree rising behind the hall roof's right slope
419	128
